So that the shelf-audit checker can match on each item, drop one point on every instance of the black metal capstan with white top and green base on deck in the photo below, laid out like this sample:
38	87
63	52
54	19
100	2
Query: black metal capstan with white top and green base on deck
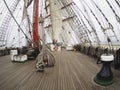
105	76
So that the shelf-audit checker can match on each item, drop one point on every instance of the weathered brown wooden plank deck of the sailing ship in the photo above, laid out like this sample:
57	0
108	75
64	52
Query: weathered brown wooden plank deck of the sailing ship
73	71
